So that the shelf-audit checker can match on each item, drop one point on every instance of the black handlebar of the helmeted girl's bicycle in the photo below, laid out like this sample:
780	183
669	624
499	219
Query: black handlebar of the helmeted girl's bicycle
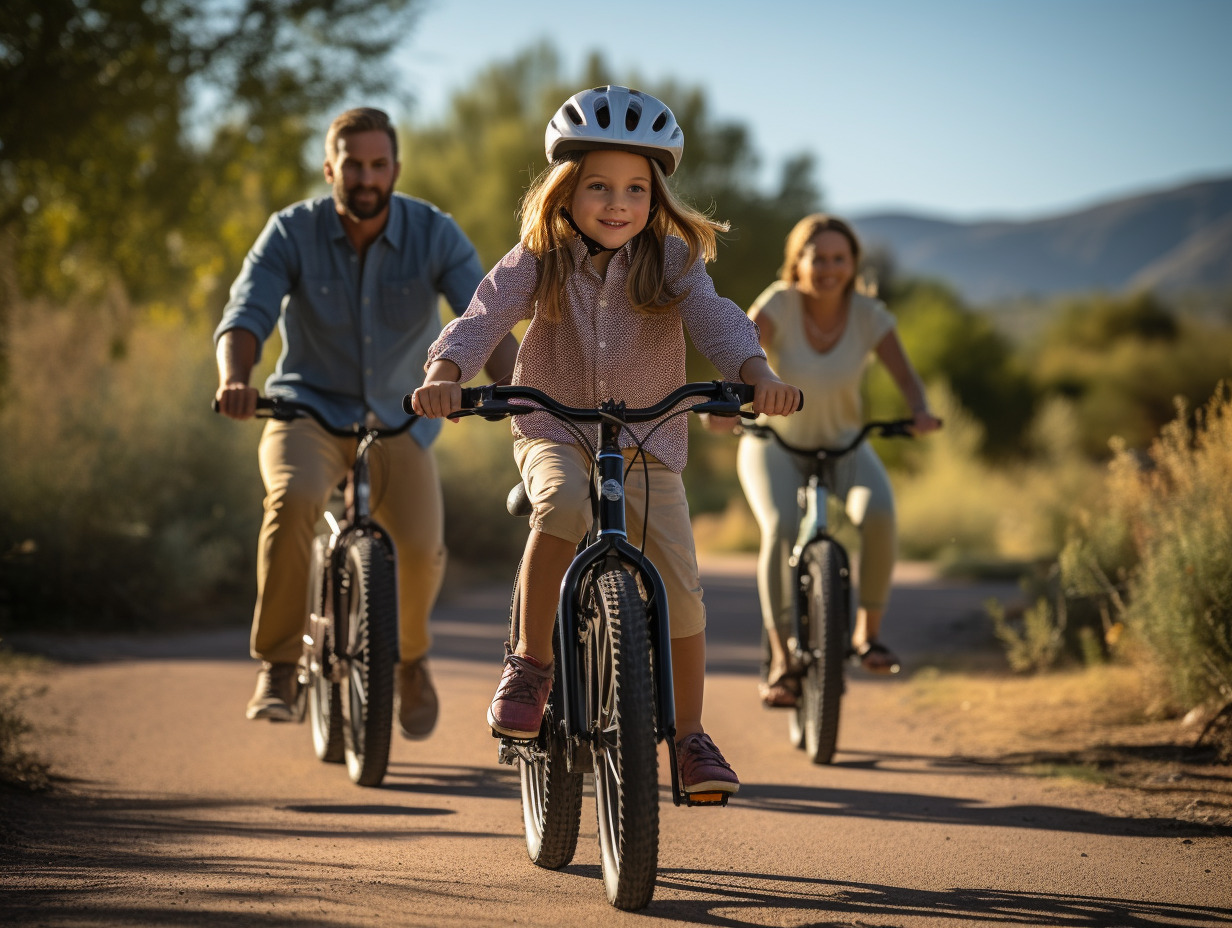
492	402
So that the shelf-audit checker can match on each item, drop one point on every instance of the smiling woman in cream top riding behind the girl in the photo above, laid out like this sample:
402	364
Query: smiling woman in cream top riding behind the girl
821	333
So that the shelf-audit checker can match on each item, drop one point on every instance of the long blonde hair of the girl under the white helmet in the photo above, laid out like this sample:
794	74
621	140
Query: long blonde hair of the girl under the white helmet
549	237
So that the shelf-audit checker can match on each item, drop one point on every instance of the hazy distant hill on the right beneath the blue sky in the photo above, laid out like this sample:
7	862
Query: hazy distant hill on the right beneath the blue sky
1177	240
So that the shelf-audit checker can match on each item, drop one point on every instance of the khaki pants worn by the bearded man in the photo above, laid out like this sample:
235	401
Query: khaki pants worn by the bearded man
301	464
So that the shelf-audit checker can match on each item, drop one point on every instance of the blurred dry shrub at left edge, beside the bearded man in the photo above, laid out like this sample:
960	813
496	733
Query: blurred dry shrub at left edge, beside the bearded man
126	500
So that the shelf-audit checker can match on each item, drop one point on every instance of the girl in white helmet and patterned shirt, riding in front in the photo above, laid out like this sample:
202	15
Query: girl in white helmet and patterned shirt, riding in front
610	272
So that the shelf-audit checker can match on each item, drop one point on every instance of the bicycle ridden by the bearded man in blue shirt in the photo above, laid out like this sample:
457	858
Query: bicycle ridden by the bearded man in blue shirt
351	644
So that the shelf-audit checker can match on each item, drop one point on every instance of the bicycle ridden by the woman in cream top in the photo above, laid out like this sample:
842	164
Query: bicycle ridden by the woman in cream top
821	634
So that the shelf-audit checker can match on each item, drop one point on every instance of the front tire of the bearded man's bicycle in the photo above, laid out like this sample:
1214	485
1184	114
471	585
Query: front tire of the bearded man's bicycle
369	604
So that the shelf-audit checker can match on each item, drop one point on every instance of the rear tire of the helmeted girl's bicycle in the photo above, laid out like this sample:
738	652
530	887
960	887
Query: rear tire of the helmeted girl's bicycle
551	794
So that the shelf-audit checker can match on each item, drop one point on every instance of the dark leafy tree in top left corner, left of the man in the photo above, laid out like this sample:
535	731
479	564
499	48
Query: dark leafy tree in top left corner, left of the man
111	169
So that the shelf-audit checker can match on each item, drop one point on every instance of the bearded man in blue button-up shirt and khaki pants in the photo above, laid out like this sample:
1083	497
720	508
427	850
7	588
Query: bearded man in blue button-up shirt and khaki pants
352	282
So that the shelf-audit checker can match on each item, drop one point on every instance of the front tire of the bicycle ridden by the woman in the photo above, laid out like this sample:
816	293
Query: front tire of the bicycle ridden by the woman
825	590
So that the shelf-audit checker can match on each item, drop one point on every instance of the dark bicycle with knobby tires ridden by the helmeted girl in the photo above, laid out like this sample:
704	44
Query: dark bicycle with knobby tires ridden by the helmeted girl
612	697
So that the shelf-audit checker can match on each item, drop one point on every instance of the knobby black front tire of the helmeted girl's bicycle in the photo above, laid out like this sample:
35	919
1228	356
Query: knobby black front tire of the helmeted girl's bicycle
620	713
